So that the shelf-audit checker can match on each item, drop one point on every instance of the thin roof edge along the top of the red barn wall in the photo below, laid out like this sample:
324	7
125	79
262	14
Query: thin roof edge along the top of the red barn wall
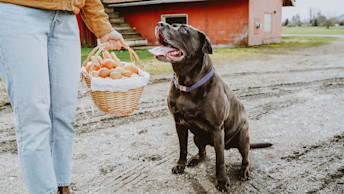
126	3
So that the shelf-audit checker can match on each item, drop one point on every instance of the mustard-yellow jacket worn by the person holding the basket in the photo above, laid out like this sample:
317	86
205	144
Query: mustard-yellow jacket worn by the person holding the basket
91	11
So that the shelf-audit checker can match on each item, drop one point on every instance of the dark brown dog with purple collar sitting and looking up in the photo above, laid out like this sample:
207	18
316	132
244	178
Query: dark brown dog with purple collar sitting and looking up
201	102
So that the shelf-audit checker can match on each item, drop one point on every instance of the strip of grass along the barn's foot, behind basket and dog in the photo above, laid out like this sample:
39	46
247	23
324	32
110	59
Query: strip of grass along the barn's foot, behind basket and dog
154	66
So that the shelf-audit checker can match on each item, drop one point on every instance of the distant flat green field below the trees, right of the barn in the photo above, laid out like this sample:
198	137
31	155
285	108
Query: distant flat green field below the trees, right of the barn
314	30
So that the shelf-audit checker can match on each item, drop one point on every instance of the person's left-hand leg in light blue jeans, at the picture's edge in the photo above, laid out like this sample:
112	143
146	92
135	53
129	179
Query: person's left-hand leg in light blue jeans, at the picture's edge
24	70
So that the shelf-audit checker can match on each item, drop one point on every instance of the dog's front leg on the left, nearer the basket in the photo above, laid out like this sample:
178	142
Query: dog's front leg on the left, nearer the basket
183	147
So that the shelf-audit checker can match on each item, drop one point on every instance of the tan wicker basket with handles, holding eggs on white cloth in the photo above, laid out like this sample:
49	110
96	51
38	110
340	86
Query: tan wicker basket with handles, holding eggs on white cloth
114	103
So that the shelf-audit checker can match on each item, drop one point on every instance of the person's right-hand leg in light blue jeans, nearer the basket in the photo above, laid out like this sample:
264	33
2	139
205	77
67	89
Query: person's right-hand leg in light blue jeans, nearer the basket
64	69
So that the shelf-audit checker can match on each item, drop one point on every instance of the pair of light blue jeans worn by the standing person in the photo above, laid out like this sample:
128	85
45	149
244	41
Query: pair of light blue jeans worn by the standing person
40	66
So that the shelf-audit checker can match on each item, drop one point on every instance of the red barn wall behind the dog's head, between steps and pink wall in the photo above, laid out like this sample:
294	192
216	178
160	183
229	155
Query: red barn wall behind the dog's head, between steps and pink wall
224	21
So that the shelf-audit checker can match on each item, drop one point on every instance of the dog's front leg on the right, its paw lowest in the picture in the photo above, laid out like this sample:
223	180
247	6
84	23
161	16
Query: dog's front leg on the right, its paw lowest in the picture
222	179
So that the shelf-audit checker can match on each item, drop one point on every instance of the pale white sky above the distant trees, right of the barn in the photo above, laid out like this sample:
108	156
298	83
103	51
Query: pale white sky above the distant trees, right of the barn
329	8
